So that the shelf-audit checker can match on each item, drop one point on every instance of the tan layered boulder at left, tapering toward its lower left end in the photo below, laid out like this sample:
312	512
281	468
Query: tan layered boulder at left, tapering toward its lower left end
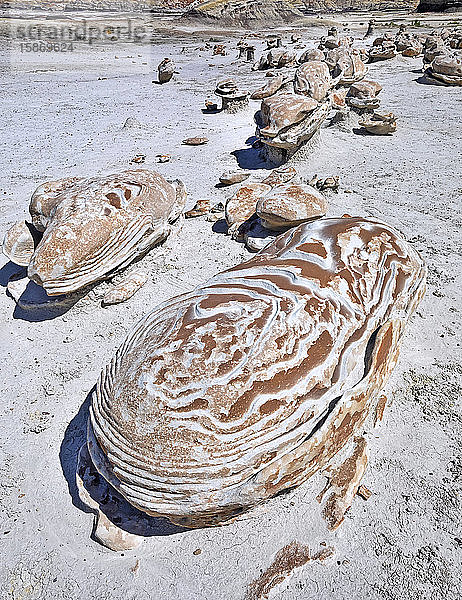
93	227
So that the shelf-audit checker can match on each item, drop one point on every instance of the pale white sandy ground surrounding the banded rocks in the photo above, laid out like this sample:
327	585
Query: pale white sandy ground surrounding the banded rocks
61	119
